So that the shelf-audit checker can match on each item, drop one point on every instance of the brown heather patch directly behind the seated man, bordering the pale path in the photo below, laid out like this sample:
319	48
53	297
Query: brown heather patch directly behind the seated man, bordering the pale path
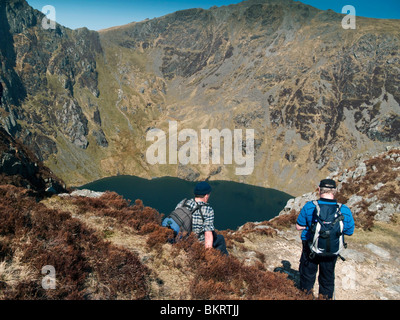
222	277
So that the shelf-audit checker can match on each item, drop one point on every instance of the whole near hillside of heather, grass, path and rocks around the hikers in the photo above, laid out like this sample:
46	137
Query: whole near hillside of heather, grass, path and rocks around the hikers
103	248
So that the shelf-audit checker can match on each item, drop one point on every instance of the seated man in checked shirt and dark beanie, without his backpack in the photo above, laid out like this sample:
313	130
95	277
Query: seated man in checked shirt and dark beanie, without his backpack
204	229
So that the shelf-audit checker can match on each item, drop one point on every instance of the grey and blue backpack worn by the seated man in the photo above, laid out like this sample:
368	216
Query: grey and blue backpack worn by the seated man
180	220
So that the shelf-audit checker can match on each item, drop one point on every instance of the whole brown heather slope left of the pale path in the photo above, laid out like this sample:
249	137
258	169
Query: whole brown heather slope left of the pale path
89	266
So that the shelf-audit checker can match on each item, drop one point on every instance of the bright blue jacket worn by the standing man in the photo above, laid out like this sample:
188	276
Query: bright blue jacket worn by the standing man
305	217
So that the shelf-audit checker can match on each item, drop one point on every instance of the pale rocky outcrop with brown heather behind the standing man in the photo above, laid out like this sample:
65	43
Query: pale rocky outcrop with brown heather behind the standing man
369	189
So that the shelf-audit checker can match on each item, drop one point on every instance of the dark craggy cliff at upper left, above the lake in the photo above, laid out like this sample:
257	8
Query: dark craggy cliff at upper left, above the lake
48	65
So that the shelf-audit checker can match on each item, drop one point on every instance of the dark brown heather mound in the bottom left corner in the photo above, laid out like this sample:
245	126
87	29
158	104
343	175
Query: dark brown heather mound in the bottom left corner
87	267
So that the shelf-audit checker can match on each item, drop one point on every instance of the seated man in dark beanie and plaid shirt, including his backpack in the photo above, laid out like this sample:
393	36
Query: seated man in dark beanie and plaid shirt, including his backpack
197	216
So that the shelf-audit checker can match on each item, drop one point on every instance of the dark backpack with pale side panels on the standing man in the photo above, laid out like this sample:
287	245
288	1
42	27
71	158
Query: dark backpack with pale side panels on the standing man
327	231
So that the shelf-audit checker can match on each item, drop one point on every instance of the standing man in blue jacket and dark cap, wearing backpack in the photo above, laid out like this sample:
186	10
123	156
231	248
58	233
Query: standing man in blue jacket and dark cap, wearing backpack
323	224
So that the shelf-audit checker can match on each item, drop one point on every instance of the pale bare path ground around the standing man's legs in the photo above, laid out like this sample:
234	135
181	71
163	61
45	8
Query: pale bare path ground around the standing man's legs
371	270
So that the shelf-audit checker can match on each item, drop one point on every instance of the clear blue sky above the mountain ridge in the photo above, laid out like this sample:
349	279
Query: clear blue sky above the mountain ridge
101	14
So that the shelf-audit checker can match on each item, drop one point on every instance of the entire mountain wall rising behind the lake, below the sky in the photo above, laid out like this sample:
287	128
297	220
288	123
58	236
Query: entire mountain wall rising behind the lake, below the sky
315	94
